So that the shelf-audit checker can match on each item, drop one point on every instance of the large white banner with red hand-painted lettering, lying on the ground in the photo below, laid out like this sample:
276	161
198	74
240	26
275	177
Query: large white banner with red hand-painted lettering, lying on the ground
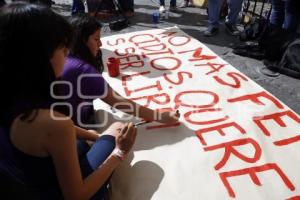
234	139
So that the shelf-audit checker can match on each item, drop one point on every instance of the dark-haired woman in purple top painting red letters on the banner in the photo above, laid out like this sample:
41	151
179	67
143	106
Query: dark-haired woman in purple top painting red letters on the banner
85	59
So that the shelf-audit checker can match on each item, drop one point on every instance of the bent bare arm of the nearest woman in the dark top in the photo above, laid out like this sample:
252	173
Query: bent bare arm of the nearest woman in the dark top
61	145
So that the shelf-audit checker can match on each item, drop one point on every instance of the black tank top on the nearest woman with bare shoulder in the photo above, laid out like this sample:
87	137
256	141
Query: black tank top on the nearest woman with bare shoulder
36	172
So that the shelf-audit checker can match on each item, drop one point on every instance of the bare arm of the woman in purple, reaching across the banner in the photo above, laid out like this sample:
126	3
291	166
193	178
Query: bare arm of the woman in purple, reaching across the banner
130	107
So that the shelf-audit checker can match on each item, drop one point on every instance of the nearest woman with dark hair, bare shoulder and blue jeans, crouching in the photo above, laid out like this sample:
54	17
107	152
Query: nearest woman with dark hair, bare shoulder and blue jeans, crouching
38	142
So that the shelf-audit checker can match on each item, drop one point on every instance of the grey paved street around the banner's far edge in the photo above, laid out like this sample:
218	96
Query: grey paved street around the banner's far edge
193	22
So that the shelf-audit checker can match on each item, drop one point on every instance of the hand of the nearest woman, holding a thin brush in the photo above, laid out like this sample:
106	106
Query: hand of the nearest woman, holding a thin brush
126	138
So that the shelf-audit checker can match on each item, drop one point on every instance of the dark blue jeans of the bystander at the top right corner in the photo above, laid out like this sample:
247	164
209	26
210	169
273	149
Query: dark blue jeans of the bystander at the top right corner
284	14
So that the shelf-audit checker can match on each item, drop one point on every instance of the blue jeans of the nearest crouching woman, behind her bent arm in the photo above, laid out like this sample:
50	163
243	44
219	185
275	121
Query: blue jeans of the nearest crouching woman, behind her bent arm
91	158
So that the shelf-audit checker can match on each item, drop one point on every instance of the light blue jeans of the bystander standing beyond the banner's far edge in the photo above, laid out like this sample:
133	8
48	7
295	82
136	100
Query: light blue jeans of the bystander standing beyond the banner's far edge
214	6
